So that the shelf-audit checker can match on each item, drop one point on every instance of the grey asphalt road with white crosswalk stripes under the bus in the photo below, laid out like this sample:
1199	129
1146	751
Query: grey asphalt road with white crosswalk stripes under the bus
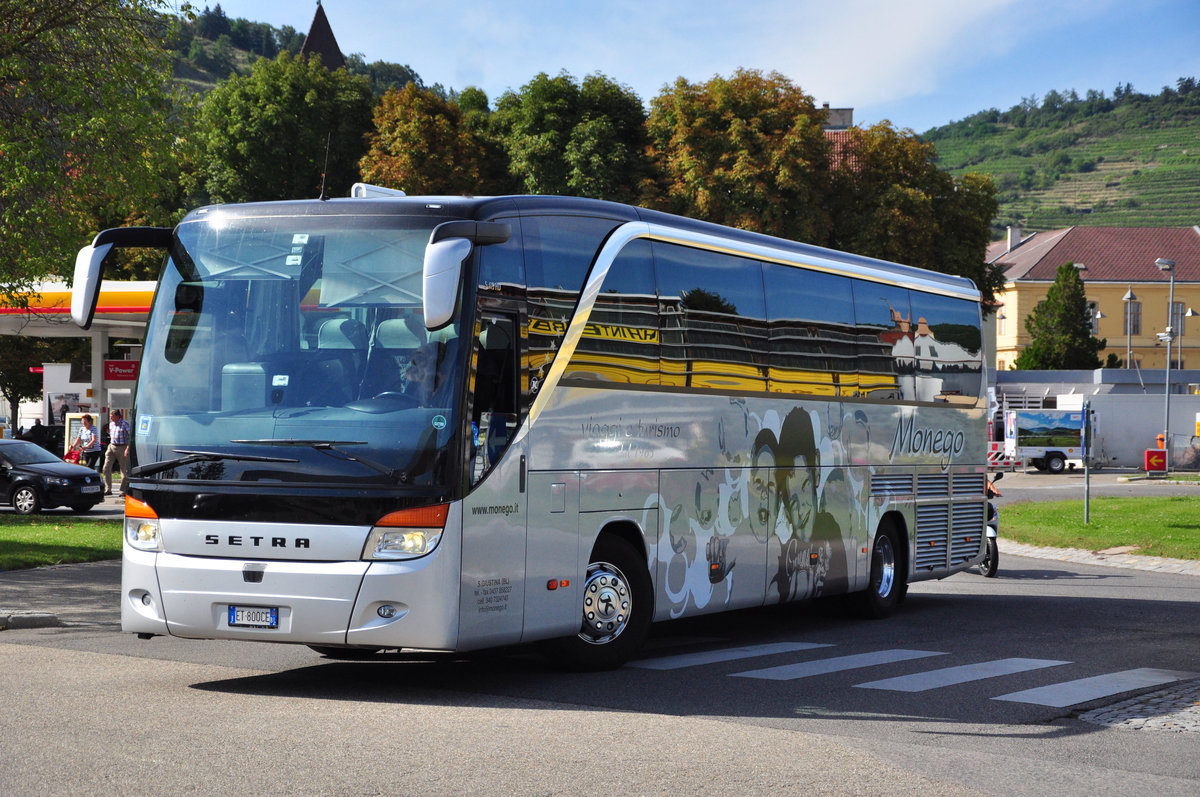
992	699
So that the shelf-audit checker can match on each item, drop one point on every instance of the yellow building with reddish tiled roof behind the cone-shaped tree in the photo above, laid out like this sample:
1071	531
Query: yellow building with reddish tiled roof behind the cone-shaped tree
1127	291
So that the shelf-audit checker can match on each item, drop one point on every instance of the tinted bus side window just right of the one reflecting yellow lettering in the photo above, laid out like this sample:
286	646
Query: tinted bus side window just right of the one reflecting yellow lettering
713	323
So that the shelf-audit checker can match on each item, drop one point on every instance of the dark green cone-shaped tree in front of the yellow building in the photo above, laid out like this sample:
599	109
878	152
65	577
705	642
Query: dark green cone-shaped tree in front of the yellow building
1061	328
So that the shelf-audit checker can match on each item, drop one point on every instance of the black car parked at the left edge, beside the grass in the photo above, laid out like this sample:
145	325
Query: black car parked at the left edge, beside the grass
33	480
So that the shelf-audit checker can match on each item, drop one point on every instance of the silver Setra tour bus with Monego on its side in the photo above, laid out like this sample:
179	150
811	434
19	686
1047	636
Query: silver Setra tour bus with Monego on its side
453	423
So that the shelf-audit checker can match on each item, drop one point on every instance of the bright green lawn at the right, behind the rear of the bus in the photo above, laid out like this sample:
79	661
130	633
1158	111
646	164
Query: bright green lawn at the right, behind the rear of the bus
1163	526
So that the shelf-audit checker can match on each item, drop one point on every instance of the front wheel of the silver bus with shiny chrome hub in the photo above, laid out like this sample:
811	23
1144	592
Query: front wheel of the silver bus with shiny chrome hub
616	609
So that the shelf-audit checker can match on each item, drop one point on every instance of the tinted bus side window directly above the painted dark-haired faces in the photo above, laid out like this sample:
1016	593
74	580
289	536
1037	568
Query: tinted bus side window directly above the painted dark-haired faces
812	321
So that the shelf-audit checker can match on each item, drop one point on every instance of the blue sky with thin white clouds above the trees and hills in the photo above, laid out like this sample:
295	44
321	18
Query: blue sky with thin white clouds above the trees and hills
917	63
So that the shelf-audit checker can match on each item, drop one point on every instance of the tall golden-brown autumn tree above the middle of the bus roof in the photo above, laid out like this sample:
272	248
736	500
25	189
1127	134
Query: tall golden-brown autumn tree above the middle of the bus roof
747	152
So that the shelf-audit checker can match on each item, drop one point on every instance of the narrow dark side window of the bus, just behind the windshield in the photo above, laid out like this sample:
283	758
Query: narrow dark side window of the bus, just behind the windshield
495	414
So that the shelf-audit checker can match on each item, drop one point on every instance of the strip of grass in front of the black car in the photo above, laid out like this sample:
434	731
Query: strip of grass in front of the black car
38	541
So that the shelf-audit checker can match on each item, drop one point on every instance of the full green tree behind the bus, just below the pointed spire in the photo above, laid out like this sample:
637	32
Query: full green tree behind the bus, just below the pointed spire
266	135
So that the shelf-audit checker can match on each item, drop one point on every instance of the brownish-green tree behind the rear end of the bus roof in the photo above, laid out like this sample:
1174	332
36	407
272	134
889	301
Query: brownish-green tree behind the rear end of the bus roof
891	201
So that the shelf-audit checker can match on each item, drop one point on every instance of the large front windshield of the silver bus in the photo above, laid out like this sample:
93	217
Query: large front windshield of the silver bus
295	350
